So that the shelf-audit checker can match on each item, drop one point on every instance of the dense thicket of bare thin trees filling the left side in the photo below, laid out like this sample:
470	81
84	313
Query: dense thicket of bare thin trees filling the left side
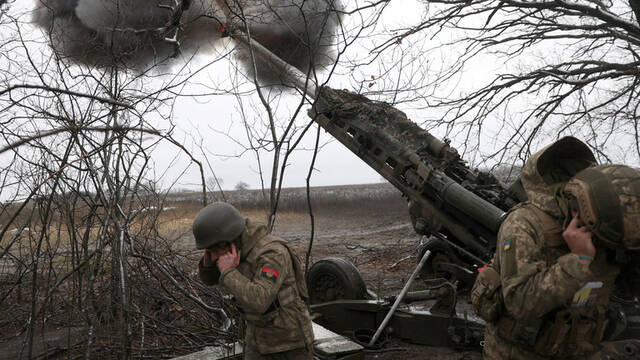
83	244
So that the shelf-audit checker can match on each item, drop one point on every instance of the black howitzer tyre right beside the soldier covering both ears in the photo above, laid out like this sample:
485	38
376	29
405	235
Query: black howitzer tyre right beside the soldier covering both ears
334	279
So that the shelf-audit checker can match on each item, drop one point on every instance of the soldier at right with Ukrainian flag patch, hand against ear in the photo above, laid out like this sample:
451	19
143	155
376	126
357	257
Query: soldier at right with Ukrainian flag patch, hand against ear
546	292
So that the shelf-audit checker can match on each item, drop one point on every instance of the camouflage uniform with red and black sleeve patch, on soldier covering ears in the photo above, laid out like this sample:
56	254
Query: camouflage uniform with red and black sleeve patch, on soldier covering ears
268	285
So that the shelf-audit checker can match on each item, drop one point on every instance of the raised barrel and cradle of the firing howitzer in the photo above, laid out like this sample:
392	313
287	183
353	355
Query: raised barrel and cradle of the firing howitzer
462	207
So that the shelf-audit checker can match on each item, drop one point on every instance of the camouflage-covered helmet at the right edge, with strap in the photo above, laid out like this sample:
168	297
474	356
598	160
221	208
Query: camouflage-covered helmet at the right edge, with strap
607	199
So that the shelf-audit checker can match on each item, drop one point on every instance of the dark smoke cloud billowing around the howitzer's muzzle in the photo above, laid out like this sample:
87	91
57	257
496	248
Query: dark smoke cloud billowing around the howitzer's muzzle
134	33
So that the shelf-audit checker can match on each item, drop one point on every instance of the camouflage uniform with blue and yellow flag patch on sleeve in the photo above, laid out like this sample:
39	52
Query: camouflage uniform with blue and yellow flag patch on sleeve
553	304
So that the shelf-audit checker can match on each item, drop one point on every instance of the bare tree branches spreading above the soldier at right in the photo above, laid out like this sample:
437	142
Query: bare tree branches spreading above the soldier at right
566	68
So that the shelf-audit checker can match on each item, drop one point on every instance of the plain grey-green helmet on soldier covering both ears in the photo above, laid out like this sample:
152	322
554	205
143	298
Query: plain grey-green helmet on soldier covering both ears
215	223
